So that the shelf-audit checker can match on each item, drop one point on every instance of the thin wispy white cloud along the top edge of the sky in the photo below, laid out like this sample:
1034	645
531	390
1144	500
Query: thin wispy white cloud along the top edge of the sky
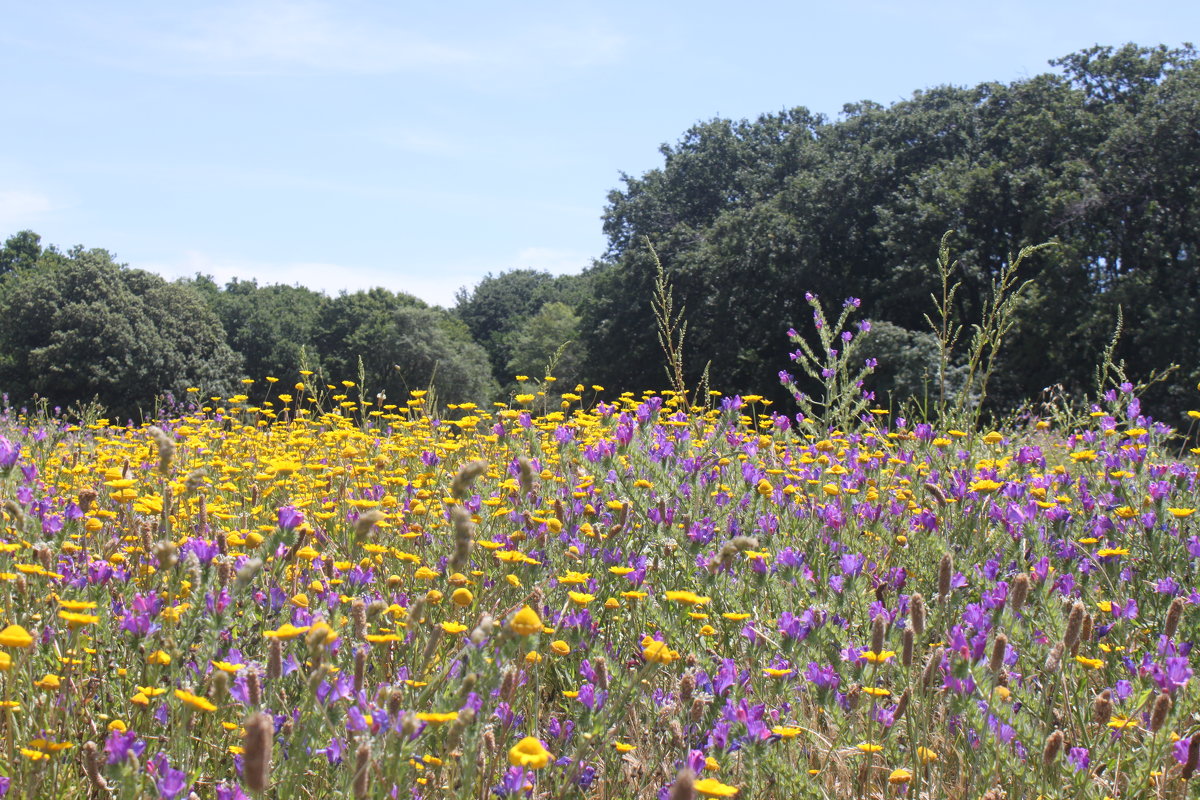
319	38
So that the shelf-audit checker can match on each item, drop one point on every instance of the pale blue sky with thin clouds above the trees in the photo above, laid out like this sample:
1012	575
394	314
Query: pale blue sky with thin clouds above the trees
418	147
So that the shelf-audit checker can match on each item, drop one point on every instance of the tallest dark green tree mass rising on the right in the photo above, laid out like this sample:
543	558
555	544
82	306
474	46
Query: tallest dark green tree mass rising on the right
748	216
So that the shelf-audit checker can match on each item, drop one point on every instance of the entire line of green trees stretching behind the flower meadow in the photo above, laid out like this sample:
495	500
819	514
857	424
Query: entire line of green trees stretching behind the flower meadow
1101	158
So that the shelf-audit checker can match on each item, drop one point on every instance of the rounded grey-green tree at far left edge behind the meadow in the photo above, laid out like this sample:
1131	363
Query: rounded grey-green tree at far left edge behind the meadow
77	327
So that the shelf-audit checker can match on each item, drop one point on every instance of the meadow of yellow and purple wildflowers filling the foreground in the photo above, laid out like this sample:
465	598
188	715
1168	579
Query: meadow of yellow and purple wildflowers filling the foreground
578	597
